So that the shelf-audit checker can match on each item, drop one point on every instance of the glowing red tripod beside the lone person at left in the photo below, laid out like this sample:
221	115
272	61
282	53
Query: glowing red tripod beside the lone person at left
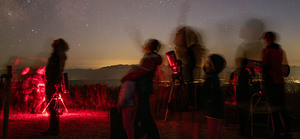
56	97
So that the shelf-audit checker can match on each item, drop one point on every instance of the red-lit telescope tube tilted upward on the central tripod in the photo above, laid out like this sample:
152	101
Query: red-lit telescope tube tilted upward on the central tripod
175	65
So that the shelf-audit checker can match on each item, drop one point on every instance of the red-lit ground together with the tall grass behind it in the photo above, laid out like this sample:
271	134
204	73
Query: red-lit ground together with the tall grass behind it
89	116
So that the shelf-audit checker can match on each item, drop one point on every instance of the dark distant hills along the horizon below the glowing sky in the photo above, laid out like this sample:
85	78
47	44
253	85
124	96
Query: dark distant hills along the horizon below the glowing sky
111	75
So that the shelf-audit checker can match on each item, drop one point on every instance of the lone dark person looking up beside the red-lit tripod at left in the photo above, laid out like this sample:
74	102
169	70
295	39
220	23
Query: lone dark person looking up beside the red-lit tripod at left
54	70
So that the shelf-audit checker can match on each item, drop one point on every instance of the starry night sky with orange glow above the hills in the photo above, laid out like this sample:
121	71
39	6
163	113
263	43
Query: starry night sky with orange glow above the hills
109	32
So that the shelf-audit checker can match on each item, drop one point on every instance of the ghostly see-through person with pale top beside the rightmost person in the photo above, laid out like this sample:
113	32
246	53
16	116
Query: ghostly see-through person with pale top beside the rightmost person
248	51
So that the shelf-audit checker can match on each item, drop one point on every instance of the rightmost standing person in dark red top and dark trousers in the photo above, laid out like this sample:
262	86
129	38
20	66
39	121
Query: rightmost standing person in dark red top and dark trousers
273	59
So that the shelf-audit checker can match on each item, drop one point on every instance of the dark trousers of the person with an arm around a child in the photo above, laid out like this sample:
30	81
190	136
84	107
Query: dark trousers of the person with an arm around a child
144	123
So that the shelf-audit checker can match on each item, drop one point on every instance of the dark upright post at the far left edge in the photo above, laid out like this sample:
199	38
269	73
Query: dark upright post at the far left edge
7	88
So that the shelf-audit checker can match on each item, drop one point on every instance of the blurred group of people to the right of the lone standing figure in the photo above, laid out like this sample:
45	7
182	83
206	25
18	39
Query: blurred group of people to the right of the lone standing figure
259	46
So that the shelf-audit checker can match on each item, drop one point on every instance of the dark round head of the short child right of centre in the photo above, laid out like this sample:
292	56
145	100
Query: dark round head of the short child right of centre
214	64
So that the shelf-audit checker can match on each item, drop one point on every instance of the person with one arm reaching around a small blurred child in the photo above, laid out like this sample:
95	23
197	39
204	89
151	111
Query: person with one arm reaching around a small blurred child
143	75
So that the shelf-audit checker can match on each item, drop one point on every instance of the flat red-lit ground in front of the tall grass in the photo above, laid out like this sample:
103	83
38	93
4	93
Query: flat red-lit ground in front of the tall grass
96	125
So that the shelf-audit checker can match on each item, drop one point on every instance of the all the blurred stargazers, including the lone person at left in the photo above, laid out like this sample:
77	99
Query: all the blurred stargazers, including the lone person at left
137	84
